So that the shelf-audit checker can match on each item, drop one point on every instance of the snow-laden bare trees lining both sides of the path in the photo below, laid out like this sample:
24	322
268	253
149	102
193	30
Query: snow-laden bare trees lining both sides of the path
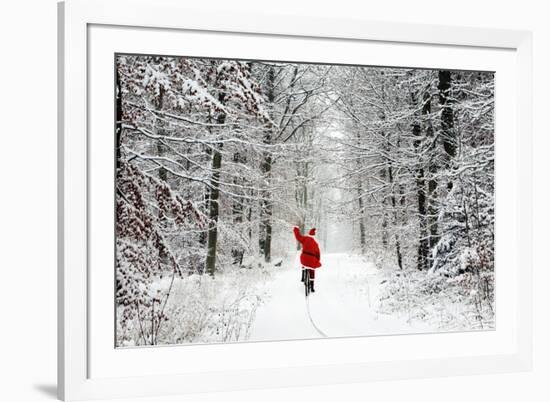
218	159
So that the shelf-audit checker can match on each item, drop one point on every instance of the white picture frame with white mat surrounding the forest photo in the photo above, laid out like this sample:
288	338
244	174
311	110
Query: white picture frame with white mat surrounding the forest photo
80	377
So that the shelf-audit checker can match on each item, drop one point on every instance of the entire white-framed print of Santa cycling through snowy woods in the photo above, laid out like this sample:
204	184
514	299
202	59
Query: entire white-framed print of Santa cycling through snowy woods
244	200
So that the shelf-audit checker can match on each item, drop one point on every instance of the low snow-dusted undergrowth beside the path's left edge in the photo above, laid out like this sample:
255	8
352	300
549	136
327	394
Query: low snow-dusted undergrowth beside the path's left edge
202	308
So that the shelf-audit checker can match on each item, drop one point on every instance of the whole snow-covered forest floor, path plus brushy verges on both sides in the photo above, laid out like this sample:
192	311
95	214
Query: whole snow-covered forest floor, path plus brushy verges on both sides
266	302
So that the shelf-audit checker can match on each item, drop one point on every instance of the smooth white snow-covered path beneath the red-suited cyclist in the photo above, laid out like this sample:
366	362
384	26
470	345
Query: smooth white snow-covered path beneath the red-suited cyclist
343	304
